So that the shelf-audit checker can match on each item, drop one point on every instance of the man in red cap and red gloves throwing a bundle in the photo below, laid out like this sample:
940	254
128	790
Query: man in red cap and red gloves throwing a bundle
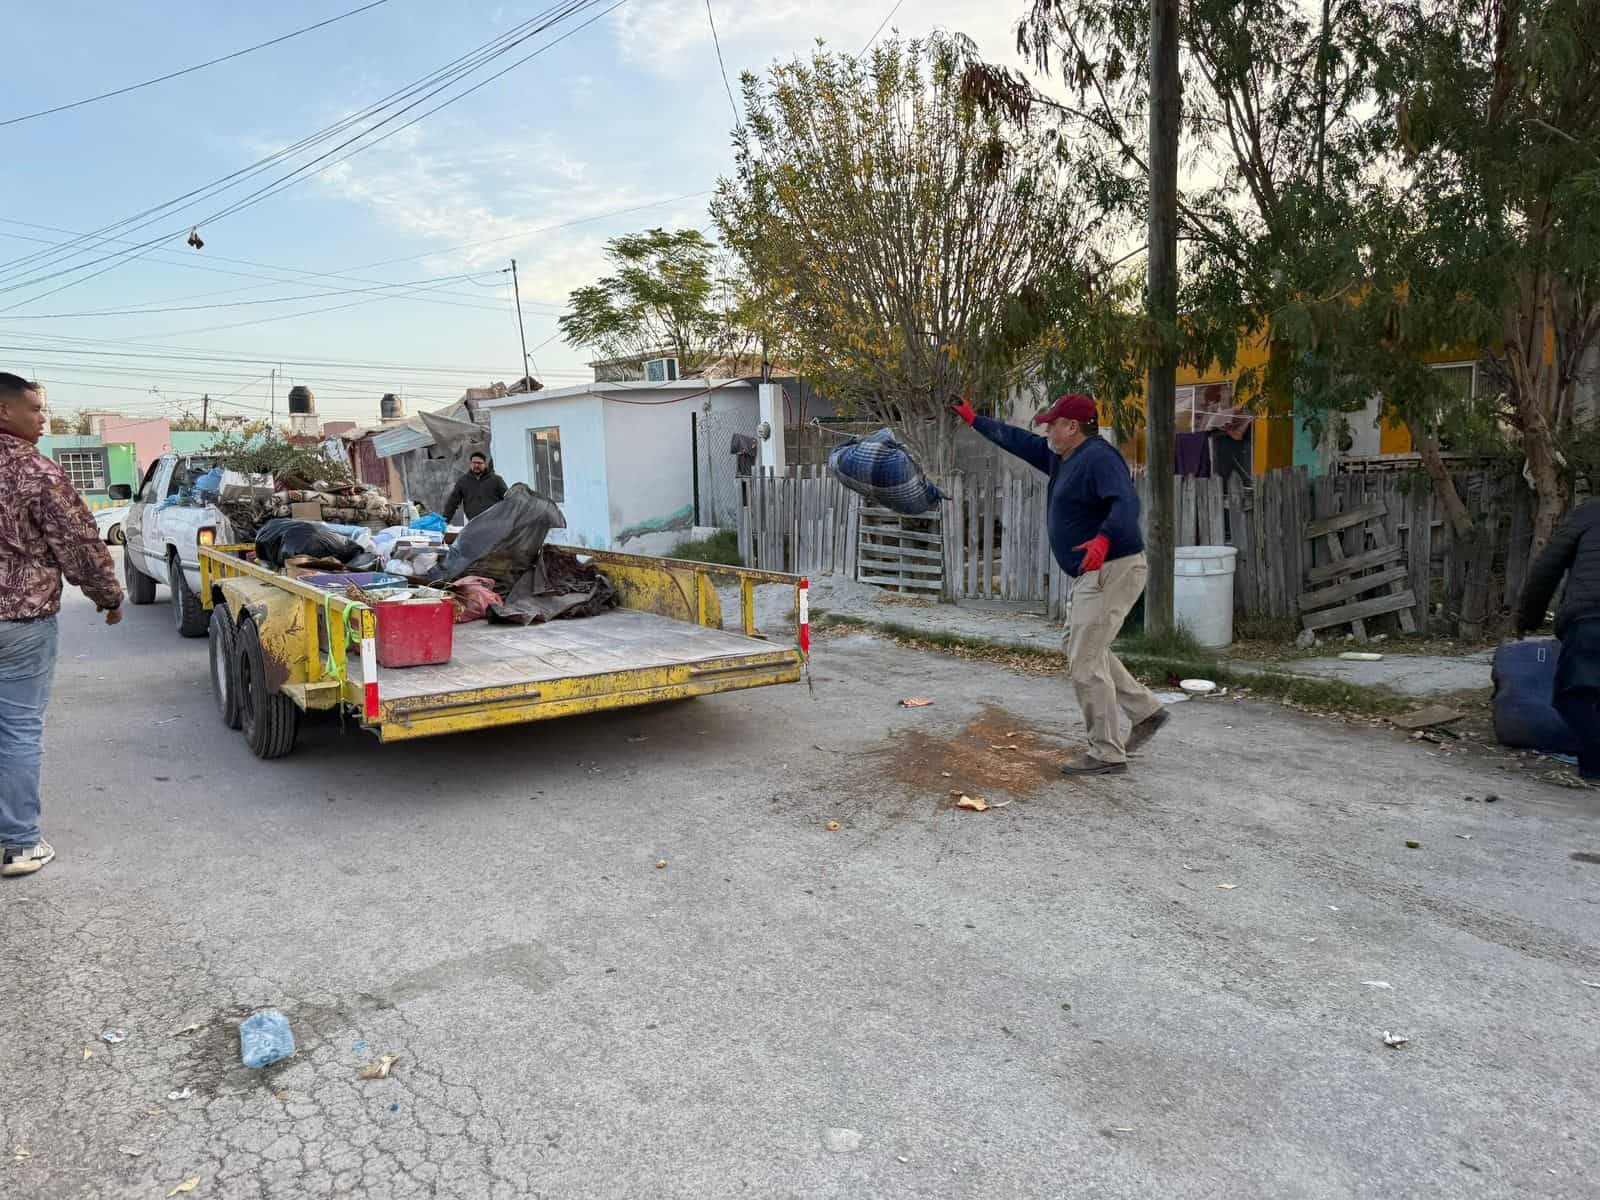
1094	519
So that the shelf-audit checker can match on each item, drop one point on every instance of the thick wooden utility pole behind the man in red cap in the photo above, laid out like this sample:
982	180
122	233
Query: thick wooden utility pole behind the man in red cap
1162	386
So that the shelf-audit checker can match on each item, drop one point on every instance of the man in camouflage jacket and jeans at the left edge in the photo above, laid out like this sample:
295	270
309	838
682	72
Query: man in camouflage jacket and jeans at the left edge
46	534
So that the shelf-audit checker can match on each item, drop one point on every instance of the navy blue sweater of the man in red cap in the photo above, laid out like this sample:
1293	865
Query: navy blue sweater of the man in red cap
1090	494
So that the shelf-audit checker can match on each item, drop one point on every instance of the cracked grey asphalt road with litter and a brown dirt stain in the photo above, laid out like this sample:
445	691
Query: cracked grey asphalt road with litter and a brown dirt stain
1057	998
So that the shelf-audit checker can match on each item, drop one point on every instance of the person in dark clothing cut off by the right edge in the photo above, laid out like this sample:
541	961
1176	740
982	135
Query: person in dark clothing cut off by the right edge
1574	551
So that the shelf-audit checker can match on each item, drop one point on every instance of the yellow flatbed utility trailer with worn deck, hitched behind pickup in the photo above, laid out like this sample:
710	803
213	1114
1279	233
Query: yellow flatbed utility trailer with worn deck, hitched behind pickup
282	647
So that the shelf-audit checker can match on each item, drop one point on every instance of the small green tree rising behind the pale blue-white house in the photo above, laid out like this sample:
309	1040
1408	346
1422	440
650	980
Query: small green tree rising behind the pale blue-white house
663	298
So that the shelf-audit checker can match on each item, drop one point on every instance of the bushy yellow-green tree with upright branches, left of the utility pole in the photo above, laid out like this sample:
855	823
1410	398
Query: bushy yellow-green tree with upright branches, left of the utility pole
897	238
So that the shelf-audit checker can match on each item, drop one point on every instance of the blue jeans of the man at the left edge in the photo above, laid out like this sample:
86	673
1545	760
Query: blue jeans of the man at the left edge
28	658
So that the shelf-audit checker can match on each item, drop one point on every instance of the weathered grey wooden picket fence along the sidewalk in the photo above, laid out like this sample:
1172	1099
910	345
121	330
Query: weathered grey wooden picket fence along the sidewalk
996	548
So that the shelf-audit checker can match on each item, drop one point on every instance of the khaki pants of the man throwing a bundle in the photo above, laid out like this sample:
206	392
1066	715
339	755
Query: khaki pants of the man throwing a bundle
1100	604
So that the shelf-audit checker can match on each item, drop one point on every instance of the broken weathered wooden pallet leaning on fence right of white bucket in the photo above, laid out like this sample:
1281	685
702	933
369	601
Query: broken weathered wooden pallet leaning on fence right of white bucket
1335	590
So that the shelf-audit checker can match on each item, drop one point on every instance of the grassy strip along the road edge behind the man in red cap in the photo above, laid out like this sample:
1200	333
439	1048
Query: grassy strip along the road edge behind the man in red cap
1154	670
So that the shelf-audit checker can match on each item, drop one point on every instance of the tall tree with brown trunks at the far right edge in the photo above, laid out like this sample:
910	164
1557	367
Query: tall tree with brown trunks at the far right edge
1490	234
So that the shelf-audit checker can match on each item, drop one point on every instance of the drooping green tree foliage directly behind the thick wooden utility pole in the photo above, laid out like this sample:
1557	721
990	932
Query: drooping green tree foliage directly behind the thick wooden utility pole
1276	156
